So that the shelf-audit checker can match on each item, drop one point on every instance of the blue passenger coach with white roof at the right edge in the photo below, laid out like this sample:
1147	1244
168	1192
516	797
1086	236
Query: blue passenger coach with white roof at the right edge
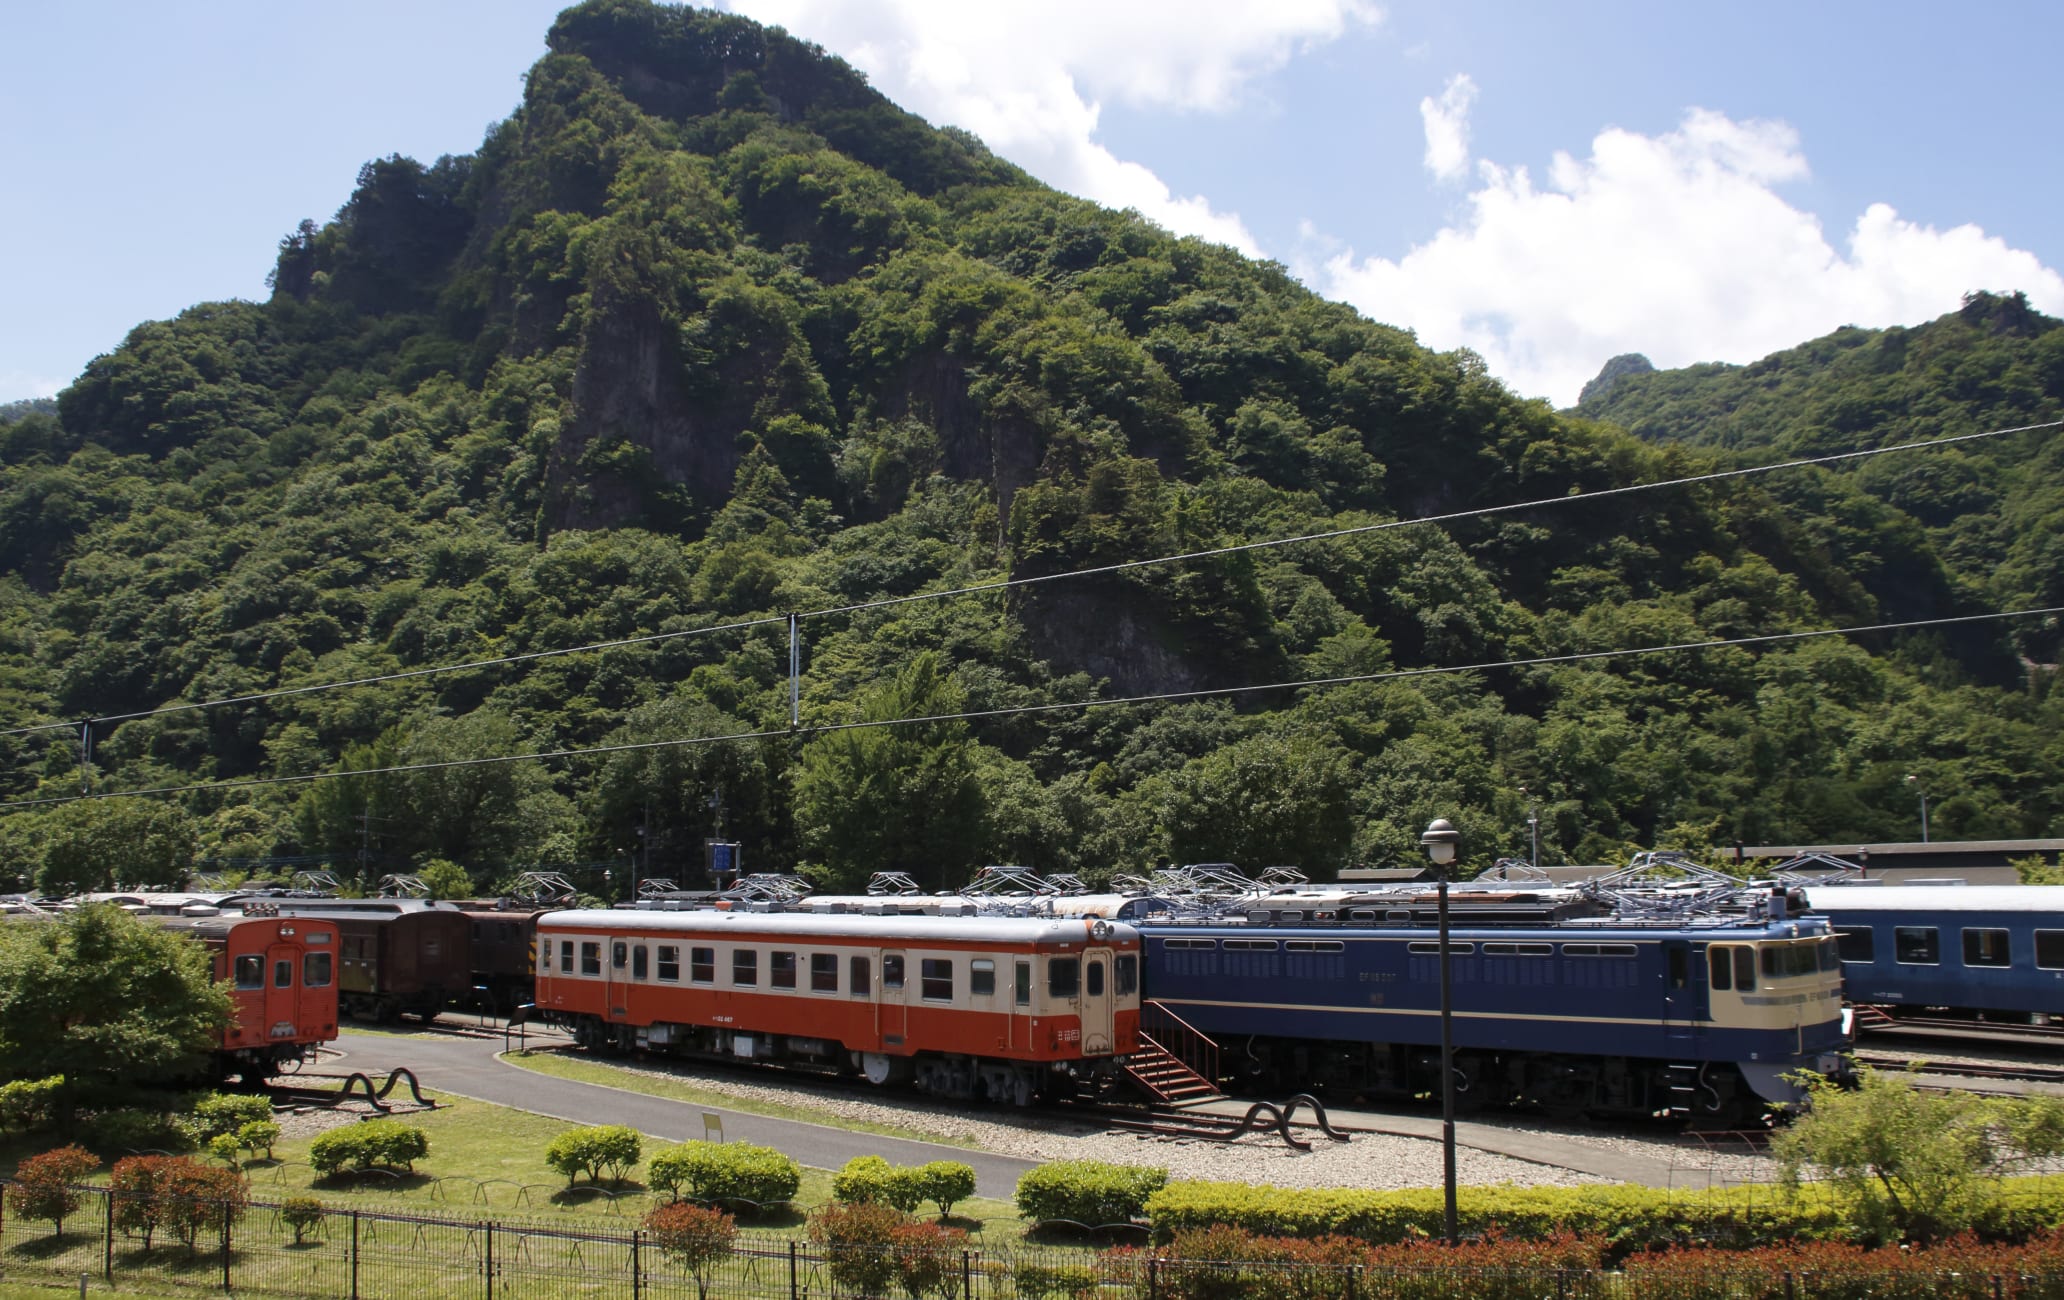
1995	950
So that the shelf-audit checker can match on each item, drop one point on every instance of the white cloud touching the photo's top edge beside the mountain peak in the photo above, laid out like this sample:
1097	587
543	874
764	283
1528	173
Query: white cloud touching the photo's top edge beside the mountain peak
1031	79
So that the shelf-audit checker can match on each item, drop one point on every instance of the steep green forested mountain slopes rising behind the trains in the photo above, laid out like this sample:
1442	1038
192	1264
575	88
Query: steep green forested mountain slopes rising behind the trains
711	333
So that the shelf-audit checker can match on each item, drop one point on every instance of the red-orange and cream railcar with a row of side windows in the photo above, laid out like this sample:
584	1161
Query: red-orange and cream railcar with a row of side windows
959	1006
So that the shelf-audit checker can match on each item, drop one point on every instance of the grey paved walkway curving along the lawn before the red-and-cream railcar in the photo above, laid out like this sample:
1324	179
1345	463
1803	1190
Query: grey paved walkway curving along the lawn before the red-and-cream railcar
470	1068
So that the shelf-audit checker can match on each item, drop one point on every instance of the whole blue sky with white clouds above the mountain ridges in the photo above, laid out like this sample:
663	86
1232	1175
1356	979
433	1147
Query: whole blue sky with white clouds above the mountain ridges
1545	185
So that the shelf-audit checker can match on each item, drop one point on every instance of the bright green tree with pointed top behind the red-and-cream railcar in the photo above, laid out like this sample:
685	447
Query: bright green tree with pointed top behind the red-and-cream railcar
899	798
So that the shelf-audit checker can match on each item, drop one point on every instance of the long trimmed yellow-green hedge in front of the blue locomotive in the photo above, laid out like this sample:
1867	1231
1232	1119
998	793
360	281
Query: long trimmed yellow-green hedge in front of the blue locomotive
1632	1218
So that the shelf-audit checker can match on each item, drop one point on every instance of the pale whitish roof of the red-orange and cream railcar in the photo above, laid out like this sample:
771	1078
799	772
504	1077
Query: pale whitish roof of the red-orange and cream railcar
886	930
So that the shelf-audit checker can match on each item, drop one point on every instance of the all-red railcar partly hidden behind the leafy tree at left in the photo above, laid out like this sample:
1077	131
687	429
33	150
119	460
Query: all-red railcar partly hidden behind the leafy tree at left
282	979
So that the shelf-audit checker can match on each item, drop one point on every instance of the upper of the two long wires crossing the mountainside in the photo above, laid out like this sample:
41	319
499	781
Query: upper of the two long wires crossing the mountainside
1014	583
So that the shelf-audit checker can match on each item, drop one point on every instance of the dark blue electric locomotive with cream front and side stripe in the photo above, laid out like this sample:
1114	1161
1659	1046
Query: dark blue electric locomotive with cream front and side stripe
1559	1002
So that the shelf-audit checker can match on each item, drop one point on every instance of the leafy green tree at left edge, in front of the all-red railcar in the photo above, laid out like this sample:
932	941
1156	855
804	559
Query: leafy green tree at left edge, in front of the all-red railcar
106	1000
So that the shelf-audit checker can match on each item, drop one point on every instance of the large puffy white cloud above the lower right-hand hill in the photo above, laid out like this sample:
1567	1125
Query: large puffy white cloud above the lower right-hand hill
1677	247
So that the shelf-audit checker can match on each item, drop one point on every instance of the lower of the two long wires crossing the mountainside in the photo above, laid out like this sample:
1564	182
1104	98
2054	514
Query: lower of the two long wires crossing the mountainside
1047	709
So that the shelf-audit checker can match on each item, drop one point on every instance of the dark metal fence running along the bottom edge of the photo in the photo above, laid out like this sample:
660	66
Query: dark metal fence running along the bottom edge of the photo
377	1256
